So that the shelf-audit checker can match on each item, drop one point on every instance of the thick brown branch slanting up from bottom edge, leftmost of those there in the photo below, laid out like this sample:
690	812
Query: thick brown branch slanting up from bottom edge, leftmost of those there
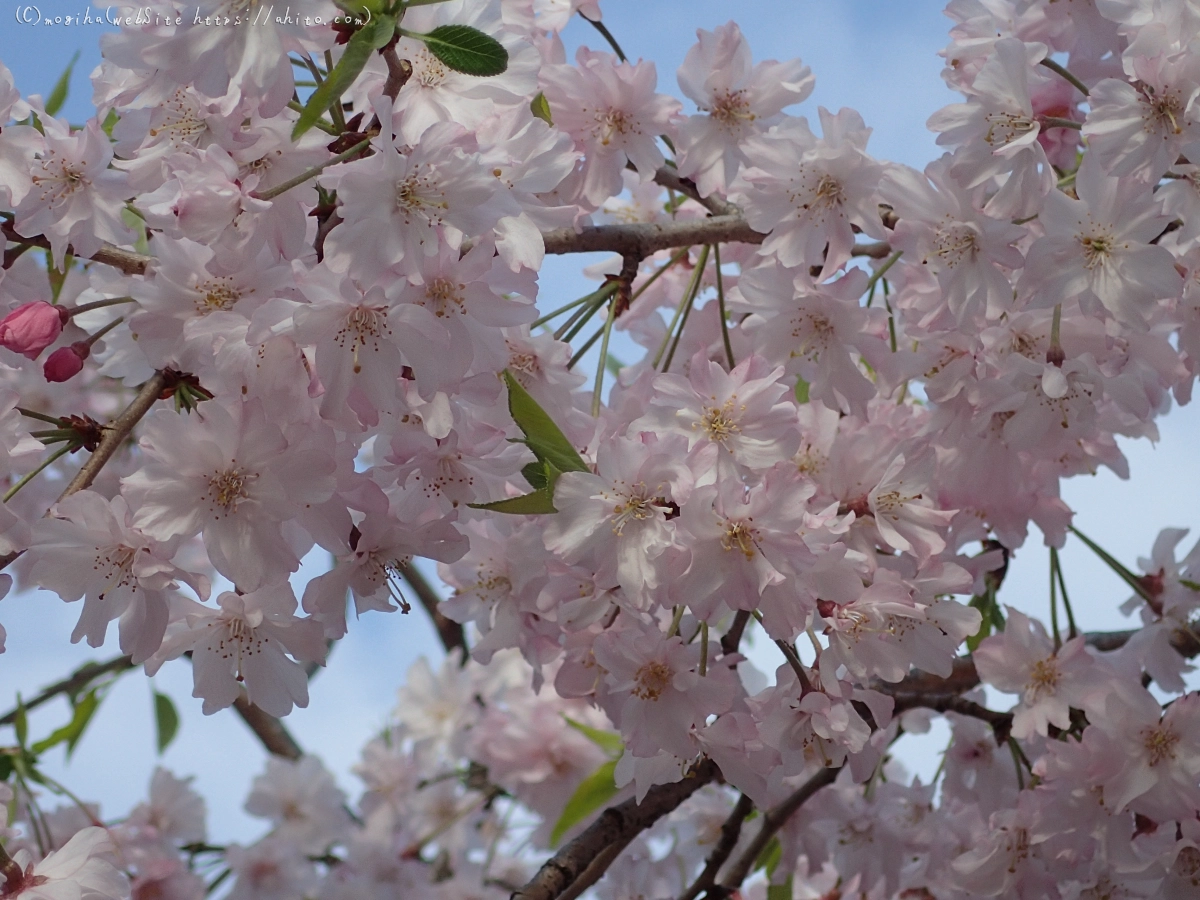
616	826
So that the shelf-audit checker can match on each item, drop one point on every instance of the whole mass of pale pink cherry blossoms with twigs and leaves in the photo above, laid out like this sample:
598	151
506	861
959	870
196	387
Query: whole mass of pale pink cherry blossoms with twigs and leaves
861	385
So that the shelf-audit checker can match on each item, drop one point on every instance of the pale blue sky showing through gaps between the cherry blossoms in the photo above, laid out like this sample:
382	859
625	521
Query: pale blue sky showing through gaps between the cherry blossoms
878	57
